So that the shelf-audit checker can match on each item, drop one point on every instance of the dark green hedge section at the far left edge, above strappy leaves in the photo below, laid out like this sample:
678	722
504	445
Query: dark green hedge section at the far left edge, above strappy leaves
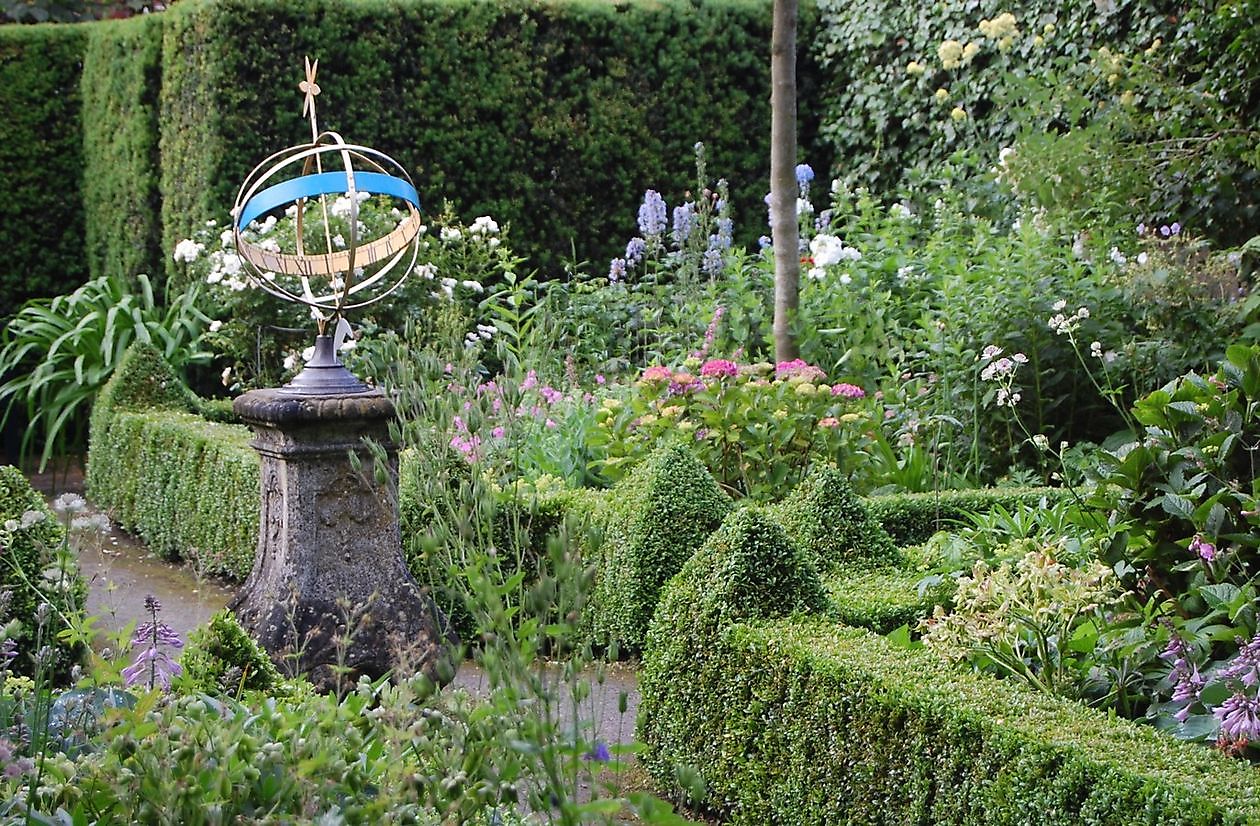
41	163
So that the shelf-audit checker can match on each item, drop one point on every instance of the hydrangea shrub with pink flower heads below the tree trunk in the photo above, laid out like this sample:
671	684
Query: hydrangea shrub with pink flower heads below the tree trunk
757	427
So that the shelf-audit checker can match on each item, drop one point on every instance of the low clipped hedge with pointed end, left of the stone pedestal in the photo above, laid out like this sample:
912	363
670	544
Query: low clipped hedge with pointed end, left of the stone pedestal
149	464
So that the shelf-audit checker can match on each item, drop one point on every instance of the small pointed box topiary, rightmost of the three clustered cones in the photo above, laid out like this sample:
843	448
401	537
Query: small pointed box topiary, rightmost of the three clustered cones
827	519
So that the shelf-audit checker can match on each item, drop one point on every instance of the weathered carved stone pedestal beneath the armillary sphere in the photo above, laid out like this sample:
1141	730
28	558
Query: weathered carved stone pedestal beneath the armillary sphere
329	586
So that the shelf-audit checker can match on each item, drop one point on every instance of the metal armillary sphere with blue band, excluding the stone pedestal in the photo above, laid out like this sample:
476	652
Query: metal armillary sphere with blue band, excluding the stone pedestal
317	273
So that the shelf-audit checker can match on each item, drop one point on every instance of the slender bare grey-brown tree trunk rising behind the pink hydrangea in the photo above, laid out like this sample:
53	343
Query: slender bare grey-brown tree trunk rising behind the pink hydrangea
784	230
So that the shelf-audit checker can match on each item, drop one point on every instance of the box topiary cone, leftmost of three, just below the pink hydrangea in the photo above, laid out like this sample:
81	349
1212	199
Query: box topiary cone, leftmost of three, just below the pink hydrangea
657	519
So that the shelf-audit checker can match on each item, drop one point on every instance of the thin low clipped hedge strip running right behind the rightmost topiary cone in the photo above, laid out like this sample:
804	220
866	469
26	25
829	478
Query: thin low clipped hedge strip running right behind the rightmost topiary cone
912	519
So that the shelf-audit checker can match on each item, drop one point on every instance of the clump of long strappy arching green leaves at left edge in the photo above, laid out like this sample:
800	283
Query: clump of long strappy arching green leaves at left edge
75	343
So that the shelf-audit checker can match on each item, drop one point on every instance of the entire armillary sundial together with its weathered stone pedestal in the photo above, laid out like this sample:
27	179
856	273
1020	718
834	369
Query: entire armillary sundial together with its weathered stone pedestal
329	553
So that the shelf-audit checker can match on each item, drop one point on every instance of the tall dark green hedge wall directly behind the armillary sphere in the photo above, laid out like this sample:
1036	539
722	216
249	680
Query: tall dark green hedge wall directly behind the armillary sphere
554	116
